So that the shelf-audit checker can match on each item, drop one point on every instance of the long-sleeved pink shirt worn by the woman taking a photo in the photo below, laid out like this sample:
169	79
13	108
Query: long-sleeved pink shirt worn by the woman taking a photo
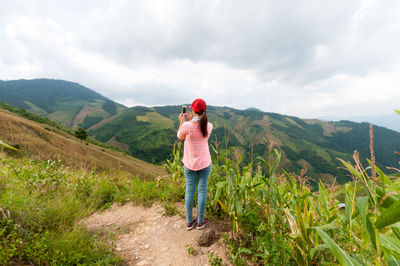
196	154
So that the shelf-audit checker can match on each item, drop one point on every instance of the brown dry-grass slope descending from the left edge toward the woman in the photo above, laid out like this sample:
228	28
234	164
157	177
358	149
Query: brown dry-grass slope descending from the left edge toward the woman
43	142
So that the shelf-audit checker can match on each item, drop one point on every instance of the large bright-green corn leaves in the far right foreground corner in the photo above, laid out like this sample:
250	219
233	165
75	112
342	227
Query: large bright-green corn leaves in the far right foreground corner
370	221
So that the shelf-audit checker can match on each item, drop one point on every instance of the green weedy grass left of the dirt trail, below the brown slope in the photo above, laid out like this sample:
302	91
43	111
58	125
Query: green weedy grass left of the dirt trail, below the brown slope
42	202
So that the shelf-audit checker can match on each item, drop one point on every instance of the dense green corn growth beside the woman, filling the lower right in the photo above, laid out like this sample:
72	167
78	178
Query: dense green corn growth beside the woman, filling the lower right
276	218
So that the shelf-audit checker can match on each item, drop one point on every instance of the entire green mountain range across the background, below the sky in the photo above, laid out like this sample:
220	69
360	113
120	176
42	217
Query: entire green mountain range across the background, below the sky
149	133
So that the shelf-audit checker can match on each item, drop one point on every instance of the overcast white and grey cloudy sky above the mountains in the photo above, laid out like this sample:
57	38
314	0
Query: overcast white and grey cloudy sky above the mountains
309	58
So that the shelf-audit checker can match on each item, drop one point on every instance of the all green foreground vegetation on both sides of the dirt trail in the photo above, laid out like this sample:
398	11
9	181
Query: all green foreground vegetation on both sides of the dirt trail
275	217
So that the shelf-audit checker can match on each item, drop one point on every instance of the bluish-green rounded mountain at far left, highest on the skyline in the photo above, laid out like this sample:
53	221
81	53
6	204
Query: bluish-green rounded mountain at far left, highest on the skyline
67	103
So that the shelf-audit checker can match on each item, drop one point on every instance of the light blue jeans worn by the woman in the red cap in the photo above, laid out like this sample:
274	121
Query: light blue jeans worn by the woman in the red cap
199	178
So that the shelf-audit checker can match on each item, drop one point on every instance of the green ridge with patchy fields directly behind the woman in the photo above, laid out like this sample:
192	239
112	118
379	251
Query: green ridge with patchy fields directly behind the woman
149	134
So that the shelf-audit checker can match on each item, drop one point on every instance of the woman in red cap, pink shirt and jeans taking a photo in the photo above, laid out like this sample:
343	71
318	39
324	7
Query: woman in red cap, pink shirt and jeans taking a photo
197	160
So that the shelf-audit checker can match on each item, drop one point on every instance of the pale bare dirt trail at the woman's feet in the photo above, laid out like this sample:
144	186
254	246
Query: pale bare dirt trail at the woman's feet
146	237
